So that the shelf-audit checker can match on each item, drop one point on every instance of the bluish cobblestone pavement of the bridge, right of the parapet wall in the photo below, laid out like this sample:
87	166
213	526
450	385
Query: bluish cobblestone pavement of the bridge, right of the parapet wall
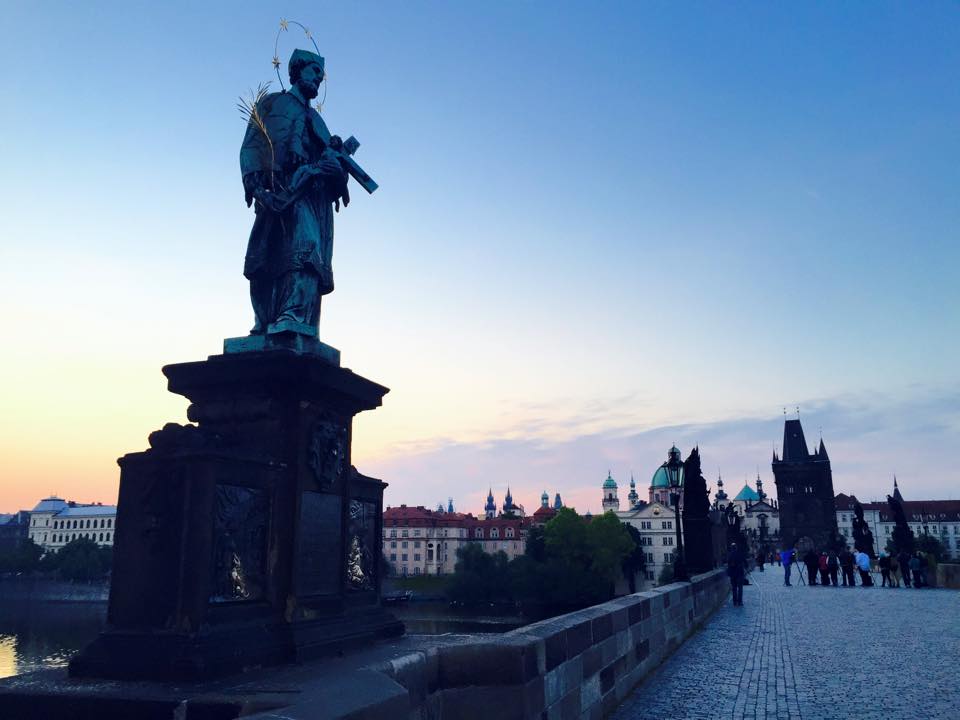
813	652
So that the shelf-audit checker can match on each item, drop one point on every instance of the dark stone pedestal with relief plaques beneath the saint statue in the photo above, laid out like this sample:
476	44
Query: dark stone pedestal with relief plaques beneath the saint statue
246	539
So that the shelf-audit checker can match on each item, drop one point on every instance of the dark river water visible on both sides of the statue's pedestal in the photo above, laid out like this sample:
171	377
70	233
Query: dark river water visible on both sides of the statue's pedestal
36	634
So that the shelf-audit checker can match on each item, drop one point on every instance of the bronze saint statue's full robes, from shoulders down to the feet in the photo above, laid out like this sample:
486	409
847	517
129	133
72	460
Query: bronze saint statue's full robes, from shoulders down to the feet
288	260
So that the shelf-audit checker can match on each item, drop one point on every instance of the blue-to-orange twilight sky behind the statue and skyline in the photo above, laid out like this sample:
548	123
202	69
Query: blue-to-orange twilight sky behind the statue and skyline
600	229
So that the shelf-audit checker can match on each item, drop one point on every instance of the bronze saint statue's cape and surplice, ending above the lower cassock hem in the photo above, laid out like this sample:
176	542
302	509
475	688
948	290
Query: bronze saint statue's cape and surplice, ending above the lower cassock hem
300	237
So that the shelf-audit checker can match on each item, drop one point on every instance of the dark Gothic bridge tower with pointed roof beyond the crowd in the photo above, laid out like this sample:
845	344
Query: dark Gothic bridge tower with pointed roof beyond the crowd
804	491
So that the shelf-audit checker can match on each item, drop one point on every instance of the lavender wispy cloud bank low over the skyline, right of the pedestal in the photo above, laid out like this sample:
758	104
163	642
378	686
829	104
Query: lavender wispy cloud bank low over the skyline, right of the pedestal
868	439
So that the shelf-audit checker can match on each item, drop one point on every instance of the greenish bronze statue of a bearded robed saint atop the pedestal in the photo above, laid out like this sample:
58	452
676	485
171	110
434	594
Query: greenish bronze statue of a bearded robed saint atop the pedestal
295	174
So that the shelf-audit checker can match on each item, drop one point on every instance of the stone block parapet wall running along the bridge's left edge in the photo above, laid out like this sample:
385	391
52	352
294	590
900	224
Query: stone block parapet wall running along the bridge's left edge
576	666
